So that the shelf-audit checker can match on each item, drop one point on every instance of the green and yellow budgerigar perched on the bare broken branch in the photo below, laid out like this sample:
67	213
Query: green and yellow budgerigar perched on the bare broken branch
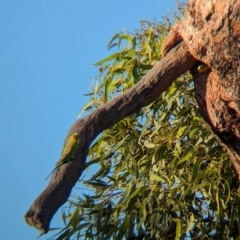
68	151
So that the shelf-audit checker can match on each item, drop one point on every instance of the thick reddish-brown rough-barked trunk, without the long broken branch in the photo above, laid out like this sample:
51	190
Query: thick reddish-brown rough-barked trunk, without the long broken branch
211	30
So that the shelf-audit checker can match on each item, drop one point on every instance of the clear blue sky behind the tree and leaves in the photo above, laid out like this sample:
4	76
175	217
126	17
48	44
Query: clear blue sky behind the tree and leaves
47	51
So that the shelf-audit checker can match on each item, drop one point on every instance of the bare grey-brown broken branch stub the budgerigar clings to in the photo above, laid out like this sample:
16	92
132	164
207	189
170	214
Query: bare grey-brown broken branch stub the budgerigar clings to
177	61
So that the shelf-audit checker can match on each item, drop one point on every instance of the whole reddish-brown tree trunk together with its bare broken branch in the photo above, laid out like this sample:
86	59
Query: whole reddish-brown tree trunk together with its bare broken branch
209	32
